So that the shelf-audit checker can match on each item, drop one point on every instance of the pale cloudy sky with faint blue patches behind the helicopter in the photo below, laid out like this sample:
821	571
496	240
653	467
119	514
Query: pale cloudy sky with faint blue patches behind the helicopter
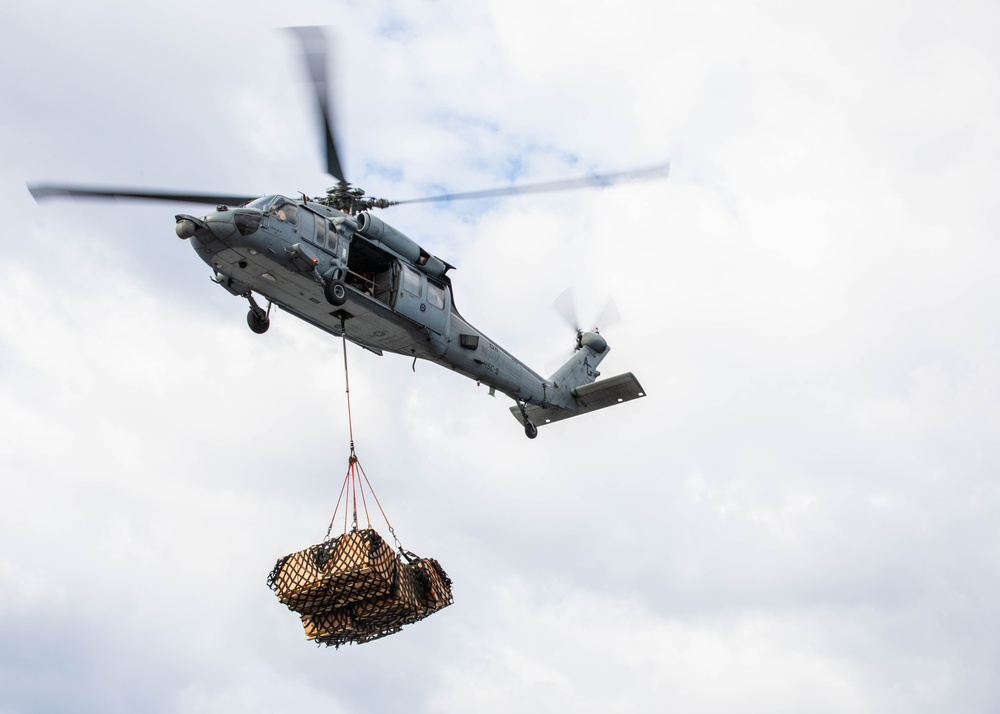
800	516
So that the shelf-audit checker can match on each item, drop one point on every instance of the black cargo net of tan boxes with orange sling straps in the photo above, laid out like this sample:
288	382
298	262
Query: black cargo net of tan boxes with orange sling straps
353	588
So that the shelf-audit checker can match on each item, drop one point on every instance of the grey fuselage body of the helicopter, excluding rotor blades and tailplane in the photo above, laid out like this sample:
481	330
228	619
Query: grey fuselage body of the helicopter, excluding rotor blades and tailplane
397	297
